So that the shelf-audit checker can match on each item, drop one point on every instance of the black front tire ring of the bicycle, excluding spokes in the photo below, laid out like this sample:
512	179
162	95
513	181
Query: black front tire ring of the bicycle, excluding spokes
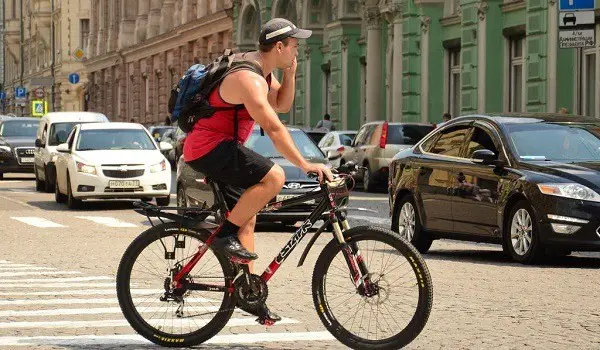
418	266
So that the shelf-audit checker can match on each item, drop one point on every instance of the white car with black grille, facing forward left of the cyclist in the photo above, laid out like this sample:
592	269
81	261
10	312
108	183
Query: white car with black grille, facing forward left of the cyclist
111	160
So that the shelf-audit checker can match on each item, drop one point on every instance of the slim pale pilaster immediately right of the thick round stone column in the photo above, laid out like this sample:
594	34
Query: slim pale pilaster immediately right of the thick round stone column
397	65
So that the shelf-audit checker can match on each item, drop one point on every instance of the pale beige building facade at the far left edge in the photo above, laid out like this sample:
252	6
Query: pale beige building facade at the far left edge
40	41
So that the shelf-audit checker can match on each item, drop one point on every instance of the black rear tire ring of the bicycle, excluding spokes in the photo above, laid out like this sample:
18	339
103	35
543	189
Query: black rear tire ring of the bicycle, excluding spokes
126	302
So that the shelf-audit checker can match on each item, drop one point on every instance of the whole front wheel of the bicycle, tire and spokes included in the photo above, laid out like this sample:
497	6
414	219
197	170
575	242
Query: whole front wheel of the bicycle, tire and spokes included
395	314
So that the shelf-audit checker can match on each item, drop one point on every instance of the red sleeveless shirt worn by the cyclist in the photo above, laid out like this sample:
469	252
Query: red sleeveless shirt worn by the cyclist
209	132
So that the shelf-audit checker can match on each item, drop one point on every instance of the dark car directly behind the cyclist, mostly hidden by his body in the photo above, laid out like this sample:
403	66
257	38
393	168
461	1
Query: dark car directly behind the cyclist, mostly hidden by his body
193	191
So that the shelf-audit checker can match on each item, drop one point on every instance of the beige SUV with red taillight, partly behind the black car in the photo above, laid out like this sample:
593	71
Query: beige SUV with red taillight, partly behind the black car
375	145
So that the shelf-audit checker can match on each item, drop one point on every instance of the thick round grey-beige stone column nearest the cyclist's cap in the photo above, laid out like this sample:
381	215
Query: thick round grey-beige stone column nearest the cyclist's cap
373	64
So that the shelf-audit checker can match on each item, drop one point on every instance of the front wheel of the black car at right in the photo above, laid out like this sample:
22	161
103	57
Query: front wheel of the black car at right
521	235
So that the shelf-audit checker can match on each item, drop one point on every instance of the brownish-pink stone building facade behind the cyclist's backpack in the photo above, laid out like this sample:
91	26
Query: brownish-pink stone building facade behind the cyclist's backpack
138	50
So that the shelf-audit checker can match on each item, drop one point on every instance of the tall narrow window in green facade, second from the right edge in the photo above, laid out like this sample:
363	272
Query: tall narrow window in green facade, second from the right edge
516	86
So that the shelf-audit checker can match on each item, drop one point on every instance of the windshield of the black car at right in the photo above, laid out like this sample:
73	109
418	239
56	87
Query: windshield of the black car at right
556	142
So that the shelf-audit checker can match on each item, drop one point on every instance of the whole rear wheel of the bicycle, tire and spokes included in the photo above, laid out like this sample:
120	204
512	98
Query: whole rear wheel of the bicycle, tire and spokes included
187	317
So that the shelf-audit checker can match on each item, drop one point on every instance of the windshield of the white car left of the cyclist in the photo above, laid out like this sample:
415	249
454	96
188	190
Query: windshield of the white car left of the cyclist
114	139
